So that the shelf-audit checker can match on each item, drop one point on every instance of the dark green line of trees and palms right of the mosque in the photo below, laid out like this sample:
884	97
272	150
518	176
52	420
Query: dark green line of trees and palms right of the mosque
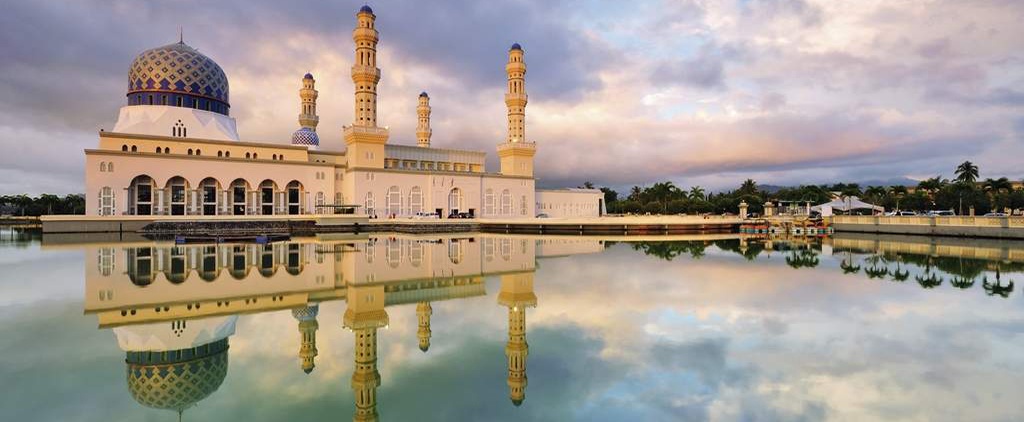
960	194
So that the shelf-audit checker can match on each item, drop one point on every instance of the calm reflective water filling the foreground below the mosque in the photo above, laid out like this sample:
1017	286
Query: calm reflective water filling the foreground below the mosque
488	327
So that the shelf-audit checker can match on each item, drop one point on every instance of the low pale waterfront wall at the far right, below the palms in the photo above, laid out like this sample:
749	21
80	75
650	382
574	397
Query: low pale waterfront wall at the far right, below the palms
1000	228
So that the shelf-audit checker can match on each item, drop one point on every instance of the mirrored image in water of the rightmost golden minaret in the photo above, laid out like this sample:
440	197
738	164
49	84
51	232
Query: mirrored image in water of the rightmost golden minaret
518	294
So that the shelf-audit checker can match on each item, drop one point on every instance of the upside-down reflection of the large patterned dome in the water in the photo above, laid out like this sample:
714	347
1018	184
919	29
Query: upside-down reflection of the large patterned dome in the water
178	379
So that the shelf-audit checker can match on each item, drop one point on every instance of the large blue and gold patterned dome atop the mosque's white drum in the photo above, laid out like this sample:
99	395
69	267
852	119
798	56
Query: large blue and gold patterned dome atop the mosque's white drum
180	76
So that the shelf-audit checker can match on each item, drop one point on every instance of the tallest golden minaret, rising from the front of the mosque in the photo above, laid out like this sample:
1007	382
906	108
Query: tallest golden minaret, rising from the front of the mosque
364	140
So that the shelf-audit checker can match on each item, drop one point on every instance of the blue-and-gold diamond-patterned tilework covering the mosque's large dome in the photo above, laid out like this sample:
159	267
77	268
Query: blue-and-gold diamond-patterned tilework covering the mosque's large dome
178	69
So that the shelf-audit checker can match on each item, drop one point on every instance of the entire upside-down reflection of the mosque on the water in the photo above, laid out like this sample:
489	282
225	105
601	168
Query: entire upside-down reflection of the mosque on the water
174	308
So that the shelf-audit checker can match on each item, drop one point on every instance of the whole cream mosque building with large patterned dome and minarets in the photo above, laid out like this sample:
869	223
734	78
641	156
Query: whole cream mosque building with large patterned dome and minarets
176	151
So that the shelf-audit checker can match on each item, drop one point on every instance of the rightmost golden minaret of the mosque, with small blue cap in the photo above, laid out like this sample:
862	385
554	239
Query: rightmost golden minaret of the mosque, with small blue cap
517	153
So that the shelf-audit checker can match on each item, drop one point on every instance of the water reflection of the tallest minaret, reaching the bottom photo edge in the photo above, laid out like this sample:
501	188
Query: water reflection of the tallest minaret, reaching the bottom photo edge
365	315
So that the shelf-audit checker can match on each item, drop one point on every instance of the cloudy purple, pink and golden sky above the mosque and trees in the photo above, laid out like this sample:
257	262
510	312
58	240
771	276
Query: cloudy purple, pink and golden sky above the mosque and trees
700	93
